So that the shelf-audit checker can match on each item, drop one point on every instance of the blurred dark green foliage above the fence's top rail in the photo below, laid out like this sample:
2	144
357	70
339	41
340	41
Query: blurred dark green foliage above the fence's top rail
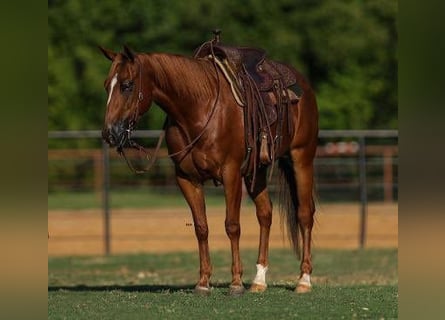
347	49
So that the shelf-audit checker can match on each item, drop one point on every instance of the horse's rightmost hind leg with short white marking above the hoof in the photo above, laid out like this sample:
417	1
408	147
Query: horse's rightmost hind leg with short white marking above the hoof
303	171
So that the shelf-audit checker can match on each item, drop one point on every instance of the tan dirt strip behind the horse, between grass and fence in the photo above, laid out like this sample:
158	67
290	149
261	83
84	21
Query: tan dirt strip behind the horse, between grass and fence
80	232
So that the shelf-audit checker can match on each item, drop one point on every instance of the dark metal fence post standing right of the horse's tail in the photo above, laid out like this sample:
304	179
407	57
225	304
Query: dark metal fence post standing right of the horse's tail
363	191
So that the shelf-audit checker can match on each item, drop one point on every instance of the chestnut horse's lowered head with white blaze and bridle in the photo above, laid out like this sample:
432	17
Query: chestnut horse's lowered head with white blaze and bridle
129	96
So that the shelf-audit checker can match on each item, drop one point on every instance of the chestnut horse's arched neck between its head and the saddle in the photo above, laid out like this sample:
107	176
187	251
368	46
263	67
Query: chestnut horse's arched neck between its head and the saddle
182	86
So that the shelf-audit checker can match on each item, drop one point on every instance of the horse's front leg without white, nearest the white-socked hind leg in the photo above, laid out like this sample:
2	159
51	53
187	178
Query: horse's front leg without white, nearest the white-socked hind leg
233	193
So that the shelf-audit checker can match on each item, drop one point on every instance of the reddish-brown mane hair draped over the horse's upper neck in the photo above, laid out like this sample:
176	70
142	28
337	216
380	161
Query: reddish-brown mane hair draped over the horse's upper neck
190	77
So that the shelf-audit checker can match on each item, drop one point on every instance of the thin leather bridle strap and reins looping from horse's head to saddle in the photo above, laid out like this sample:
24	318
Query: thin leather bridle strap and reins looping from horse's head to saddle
141	149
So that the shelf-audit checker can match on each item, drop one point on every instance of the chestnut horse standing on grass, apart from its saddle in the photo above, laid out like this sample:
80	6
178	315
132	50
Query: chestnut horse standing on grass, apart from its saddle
205	138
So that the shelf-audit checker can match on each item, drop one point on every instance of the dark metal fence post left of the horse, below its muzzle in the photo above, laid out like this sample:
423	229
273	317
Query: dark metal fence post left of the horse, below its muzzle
106	196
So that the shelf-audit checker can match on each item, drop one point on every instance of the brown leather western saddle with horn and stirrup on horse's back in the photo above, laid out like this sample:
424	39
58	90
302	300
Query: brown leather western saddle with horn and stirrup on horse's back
264	88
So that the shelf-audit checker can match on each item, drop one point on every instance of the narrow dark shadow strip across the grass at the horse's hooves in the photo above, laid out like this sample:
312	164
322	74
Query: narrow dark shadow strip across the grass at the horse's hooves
188	288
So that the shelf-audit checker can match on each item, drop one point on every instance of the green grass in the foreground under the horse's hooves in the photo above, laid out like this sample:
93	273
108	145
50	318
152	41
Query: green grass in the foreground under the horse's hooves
347	284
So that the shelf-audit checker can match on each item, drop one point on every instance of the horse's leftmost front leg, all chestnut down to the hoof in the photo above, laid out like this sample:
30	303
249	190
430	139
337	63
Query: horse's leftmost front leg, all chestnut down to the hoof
195	198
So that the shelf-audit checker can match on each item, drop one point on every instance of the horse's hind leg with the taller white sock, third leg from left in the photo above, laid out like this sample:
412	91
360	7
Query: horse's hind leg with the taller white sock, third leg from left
263	206
